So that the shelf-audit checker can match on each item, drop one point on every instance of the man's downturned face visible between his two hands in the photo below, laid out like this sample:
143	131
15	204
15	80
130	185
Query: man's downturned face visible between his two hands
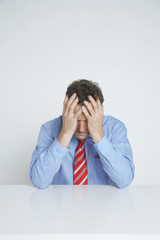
82	127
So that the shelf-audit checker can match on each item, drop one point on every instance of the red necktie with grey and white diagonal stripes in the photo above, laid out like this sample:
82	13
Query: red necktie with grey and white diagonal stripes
80	166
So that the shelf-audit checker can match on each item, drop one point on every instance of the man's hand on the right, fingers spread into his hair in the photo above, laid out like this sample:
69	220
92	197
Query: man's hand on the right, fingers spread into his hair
93	111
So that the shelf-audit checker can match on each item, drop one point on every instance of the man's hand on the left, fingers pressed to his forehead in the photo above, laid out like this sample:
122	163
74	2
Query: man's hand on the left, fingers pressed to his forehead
69	119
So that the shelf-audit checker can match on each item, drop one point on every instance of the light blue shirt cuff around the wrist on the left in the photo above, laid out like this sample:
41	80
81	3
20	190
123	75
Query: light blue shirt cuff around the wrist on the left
57	150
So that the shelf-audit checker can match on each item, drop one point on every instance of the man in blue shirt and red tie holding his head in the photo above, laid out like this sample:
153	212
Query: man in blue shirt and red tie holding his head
82	146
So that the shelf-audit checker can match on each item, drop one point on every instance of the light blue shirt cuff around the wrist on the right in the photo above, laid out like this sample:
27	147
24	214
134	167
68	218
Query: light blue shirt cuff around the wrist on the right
103	146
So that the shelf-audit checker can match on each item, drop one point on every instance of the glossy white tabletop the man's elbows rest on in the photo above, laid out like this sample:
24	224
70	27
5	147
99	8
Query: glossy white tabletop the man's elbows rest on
85	210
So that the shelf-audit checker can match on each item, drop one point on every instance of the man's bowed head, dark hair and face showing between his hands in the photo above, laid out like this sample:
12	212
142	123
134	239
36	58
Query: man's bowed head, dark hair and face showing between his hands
83	88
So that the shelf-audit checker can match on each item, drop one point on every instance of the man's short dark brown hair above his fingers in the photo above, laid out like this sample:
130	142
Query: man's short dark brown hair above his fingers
83	88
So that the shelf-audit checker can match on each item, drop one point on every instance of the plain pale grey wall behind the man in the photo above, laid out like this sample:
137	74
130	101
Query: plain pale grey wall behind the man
45	45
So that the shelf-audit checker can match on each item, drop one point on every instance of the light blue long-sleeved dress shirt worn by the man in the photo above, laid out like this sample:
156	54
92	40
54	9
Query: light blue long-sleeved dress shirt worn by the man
110	161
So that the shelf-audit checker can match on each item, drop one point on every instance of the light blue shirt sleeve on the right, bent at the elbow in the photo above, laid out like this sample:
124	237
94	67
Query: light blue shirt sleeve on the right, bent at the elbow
116	157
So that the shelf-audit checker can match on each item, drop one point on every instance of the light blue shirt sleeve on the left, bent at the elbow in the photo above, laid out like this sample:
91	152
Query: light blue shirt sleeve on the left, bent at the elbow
46	160
